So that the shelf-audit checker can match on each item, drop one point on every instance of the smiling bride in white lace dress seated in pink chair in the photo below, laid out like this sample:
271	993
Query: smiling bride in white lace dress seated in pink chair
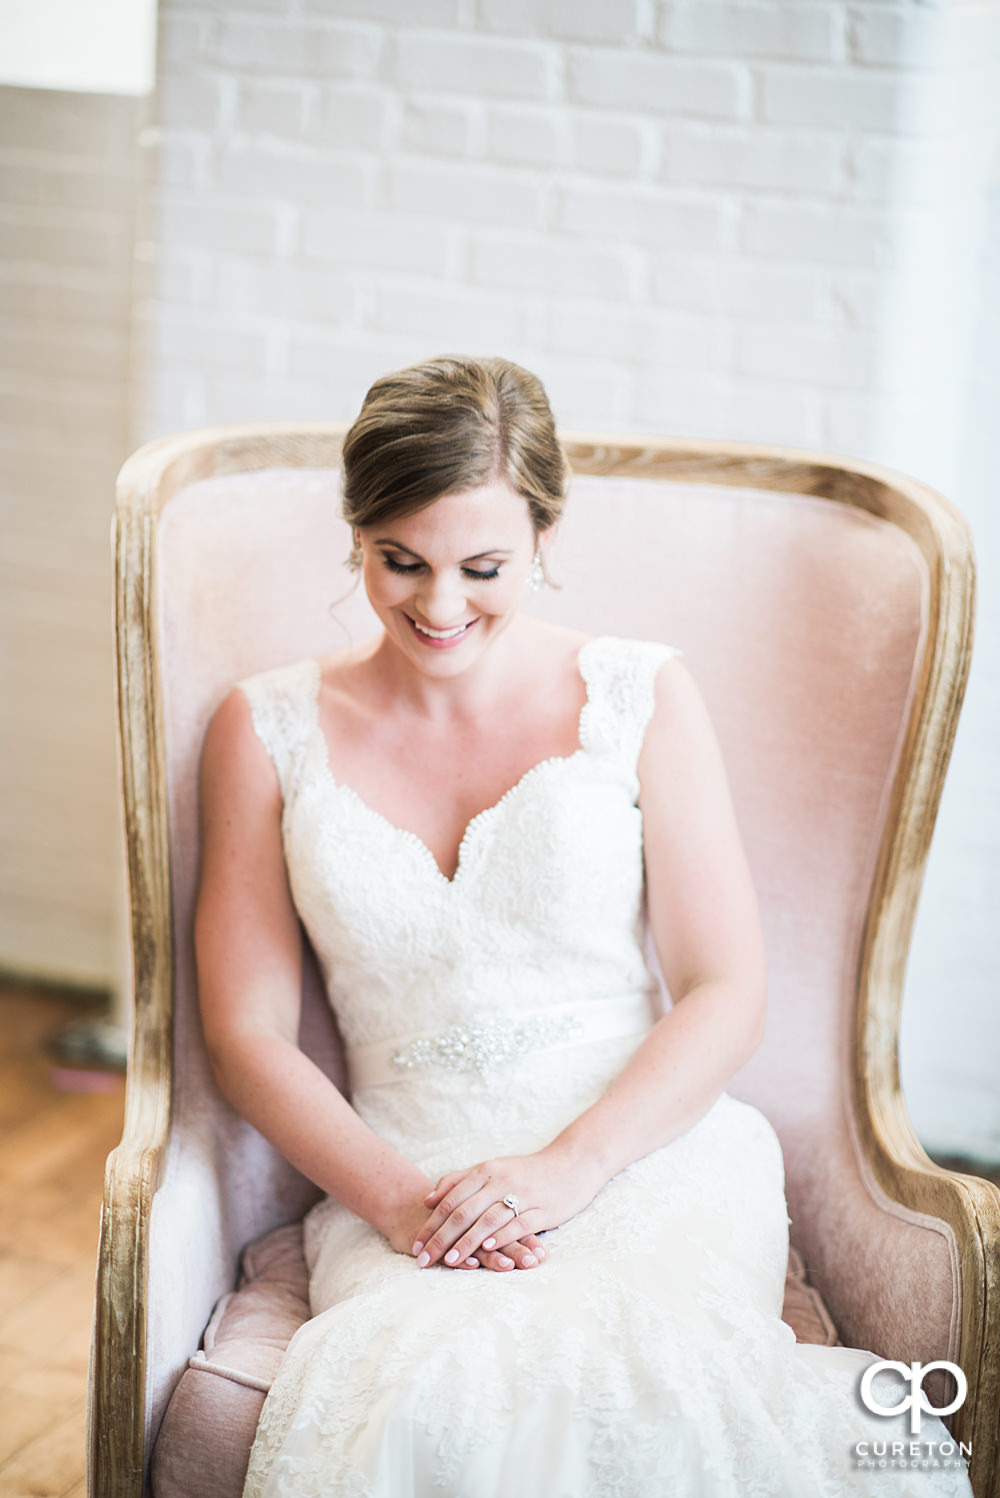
552	1249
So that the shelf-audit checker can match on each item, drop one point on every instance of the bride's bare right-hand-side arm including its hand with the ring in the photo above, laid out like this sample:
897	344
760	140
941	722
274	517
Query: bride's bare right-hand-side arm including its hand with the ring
707	936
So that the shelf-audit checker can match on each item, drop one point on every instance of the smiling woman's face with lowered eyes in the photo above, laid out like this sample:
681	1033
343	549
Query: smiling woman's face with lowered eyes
450	579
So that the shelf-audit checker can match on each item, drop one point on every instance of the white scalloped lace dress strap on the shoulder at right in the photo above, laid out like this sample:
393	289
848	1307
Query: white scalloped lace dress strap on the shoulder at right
621	678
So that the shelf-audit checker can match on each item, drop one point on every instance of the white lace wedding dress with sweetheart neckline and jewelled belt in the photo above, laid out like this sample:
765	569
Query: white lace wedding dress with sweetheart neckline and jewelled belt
646	1356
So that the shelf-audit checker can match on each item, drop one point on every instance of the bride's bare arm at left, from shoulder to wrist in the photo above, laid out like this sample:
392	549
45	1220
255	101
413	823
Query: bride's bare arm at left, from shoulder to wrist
248	944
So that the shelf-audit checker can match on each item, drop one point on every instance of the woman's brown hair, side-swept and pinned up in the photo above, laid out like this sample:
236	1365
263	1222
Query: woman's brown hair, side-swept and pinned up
451	425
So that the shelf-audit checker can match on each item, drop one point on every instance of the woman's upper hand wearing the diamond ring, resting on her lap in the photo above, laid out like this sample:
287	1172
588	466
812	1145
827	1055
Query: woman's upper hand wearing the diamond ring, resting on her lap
469	1216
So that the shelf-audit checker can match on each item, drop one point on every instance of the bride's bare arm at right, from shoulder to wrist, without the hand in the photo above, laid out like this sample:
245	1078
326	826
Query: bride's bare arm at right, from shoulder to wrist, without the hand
707	936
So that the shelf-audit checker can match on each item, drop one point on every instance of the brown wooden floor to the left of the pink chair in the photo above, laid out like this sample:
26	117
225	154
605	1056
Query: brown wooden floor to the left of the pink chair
53	1150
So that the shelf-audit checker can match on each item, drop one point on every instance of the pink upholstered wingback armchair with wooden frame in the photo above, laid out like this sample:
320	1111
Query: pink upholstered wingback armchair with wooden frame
826	609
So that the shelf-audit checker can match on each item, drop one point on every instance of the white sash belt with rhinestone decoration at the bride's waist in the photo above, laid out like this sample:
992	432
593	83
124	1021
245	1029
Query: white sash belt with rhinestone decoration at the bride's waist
481	1046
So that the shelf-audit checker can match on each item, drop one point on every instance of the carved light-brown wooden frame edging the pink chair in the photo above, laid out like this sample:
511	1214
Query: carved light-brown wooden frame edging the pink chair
896	1159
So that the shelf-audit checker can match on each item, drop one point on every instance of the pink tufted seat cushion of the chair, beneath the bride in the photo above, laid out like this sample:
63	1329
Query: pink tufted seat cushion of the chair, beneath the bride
204	1445
